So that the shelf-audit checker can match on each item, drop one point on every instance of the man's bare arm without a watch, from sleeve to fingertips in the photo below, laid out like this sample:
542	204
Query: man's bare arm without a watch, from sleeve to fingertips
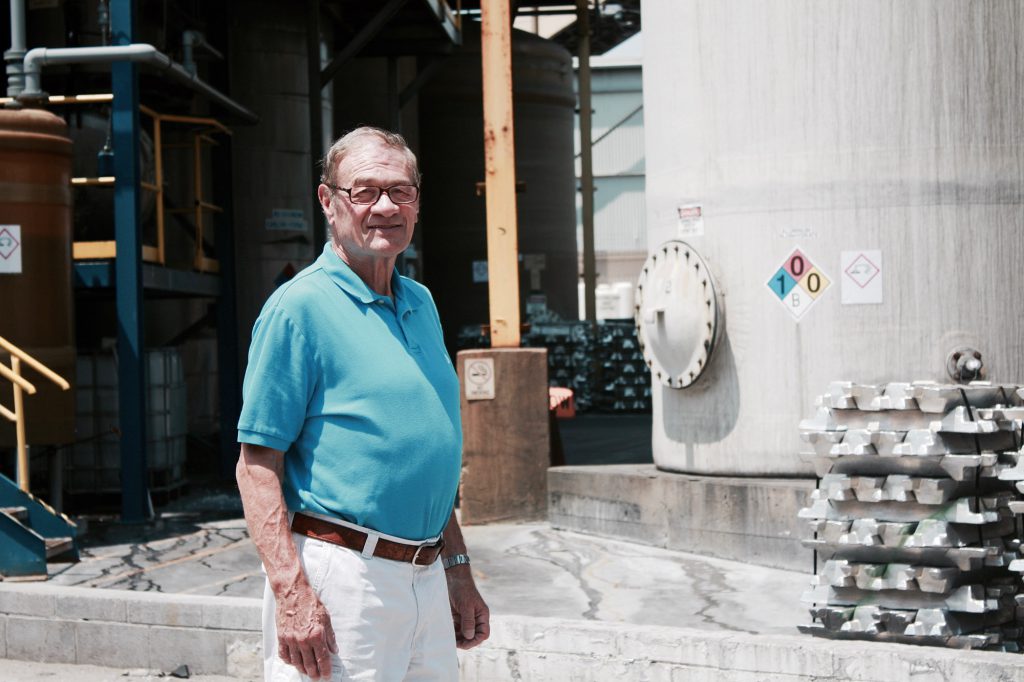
306	638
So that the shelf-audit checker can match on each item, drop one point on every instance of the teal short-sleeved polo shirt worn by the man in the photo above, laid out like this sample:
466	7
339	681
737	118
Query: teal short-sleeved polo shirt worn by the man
360	394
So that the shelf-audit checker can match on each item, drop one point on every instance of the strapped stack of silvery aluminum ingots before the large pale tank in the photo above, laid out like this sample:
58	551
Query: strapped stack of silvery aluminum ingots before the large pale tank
917	519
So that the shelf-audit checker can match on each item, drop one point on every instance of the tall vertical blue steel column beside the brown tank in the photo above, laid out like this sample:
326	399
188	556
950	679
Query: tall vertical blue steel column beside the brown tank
132	346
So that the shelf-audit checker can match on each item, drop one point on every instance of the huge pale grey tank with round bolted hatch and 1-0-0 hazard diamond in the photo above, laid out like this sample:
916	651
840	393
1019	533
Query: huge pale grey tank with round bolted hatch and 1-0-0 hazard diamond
851	177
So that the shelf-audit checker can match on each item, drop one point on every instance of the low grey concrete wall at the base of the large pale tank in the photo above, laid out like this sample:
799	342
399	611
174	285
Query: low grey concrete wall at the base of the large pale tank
744	520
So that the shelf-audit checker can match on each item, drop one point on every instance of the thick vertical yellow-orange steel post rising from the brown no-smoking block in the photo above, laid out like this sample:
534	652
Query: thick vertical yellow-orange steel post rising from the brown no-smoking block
499	154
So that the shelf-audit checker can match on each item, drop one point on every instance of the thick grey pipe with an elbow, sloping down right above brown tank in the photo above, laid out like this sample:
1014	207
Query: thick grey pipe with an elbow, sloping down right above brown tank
38	58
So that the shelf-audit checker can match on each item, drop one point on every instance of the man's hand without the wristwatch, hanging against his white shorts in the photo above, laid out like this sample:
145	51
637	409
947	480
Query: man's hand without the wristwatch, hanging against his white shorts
306	638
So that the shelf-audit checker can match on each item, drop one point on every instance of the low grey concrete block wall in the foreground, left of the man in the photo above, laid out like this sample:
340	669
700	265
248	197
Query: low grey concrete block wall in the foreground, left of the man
118	628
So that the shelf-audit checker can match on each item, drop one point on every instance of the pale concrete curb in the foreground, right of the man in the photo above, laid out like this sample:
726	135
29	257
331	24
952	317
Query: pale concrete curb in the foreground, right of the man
558	651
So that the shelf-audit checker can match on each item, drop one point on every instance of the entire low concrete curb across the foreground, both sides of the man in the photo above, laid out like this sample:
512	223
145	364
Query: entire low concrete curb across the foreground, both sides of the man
221	635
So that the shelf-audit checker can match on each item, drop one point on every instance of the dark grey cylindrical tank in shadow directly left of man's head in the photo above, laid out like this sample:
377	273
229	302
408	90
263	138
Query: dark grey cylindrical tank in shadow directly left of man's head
273	179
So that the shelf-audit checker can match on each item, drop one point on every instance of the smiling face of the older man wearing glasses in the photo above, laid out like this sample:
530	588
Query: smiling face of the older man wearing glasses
369	232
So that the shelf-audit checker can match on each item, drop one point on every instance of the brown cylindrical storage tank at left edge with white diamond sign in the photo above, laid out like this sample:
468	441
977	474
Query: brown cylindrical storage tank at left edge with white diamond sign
35	269
